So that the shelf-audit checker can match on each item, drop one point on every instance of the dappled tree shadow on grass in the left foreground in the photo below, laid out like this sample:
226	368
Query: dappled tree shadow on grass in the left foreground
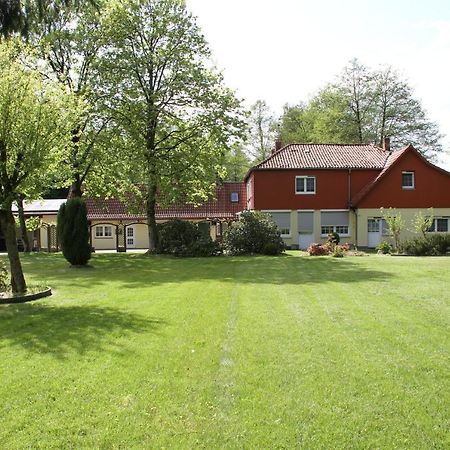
62	330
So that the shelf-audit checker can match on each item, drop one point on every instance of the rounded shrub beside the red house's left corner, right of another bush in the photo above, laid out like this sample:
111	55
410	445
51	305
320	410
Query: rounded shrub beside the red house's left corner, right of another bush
255	233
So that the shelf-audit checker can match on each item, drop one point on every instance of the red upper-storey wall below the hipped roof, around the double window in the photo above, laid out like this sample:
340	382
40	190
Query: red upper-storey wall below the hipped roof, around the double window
275	189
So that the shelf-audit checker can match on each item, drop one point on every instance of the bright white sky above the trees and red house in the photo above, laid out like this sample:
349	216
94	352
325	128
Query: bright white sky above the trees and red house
283	51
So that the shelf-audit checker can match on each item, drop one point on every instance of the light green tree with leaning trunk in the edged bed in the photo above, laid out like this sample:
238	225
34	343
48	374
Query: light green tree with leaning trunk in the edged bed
36	119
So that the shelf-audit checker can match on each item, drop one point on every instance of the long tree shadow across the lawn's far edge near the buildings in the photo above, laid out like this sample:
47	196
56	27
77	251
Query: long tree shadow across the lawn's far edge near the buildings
136	271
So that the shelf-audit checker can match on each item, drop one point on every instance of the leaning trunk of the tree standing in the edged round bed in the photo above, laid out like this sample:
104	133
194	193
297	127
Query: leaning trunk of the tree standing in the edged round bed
8	225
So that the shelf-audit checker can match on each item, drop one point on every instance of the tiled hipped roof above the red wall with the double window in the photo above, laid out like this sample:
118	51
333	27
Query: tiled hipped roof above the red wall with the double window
325	156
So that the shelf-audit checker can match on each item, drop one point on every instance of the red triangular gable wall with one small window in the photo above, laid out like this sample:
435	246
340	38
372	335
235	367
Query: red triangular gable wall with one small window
431	186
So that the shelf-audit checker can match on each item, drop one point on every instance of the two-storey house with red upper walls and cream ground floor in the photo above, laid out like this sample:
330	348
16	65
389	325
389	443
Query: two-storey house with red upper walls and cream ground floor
314	189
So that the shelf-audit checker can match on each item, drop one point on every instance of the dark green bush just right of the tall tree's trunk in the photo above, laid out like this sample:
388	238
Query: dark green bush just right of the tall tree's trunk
183	238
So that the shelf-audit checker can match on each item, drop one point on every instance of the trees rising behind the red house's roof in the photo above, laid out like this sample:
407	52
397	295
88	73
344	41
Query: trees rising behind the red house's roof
363	105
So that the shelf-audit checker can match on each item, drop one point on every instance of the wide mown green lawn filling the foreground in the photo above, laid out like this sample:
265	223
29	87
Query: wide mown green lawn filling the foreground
248	352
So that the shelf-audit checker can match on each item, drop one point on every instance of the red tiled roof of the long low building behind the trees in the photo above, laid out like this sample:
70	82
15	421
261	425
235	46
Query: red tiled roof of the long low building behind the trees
220	207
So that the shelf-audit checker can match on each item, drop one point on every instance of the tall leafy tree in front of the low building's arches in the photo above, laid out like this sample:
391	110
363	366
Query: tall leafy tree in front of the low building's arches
164	95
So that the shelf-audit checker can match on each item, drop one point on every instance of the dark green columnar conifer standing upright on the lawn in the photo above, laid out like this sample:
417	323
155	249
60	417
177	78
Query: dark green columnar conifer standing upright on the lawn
73	232
